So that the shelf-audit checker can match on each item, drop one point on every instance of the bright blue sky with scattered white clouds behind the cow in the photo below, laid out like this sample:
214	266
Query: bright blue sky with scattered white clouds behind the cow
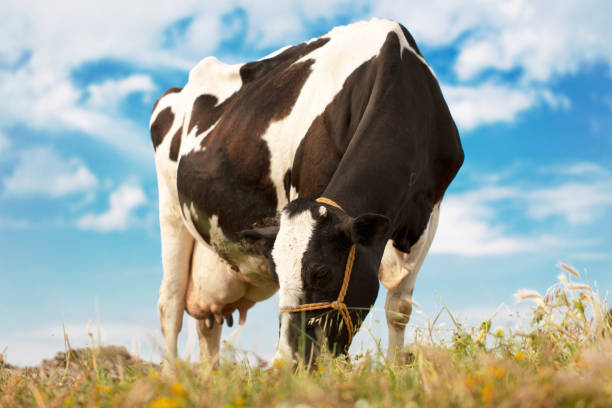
529	85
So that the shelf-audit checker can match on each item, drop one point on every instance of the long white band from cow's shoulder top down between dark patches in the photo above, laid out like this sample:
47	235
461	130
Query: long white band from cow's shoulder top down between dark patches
348	47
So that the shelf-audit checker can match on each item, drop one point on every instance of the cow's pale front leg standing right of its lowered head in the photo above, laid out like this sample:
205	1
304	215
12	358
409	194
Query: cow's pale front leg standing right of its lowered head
398	304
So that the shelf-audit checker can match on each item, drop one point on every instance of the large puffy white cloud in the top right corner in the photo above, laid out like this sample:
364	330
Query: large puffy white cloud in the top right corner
544	39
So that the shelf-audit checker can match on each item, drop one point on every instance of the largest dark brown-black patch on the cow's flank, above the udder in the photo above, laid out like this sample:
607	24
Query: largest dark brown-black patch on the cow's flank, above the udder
230	178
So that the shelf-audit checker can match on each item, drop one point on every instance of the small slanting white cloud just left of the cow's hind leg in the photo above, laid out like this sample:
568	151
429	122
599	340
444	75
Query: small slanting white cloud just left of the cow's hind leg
122	202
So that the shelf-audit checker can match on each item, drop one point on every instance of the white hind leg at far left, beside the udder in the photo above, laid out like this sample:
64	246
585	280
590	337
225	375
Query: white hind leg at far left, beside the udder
177	245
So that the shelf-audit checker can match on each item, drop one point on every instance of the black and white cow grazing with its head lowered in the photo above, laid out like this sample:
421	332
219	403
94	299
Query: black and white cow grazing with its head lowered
243	151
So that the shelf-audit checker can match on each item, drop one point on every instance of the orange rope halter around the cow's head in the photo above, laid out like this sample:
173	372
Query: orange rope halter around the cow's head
338	304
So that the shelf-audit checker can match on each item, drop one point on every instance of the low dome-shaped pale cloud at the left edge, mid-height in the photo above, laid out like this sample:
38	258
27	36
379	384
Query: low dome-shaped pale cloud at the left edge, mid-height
41	171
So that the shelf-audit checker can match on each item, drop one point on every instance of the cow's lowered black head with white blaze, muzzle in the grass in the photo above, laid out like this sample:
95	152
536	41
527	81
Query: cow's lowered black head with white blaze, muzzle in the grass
309	258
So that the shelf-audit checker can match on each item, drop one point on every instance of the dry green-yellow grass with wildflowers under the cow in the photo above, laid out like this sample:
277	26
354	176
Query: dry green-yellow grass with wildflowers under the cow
562	359
